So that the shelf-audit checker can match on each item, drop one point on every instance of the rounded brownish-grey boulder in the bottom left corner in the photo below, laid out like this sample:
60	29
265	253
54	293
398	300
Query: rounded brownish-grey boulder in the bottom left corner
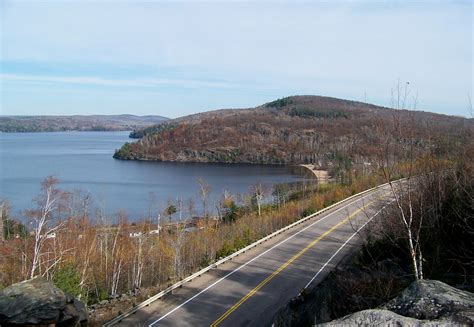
39	302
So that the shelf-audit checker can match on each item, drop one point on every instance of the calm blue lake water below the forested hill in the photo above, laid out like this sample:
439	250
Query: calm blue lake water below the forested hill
83	161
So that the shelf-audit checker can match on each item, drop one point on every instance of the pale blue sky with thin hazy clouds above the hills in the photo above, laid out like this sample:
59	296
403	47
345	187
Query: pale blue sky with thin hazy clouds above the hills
174	58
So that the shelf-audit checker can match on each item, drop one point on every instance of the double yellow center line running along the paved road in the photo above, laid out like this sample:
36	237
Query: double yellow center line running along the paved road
286	264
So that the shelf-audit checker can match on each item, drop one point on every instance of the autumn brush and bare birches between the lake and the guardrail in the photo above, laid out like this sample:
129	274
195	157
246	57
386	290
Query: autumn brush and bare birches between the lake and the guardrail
94	259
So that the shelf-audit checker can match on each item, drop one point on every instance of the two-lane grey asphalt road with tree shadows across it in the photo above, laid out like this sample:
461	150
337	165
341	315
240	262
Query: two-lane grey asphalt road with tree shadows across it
250	289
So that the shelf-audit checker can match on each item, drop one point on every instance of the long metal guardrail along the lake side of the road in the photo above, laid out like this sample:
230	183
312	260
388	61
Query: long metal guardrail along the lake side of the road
230	257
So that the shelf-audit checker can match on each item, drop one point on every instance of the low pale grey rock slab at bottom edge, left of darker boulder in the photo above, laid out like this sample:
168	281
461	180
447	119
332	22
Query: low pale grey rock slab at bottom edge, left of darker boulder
374	317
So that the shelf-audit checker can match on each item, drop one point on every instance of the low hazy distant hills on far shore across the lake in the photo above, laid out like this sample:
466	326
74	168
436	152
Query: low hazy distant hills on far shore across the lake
10	124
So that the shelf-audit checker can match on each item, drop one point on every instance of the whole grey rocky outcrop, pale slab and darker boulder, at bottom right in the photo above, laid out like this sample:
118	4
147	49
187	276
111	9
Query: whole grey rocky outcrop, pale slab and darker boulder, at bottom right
423	303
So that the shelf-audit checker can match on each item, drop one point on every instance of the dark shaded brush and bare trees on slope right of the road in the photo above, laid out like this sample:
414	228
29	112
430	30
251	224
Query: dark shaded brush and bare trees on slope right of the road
384	265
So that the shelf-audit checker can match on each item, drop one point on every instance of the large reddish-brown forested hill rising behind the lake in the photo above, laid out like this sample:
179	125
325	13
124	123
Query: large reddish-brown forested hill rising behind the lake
298	129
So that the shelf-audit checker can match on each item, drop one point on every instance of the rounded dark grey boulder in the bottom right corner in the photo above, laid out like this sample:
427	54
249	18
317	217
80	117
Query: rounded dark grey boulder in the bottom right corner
431	299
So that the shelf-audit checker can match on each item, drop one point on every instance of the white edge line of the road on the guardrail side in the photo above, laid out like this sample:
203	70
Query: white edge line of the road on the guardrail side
253	259
